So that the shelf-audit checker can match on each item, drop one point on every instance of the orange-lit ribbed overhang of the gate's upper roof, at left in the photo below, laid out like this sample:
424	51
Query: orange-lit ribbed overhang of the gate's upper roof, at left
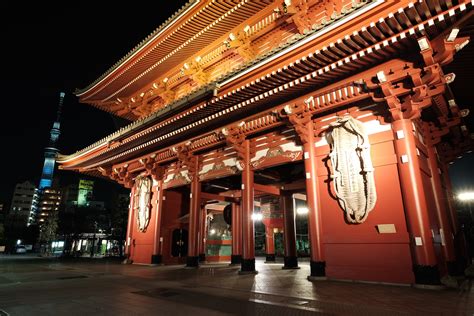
161	52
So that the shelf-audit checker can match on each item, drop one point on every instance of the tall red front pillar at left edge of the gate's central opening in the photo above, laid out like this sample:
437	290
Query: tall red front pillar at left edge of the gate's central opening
192	259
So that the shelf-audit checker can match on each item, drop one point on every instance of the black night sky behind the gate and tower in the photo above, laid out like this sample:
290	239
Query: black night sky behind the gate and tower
50	47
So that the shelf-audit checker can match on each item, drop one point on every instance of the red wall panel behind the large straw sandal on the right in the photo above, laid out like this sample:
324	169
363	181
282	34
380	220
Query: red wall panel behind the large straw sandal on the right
360	252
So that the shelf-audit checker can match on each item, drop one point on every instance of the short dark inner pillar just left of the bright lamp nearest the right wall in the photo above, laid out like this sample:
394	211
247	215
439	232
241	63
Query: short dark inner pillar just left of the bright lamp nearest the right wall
291	258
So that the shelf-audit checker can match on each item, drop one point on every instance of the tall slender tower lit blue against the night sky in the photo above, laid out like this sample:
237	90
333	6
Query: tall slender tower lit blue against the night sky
51	151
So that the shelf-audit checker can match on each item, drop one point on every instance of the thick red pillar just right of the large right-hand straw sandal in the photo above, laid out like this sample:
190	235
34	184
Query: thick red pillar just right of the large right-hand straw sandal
416	211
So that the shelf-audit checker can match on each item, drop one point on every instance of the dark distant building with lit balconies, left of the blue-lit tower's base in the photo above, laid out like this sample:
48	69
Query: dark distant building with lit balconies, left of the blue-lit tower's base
24	204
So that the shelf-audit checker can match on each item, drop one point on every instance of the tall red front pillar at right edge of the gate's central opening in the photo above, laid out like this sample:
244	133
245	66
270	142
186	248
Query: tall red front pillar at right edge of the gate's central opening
248	254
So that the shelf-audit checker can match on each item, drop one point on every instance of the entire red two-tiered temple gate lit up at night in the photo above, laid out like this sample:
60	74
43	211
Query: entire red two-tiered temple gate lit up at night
342	104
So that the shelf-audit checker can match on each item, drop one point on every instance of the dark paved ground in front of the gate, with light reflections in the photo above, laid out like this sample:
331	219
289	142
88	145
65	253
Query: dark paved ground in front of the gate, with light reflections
37	286
